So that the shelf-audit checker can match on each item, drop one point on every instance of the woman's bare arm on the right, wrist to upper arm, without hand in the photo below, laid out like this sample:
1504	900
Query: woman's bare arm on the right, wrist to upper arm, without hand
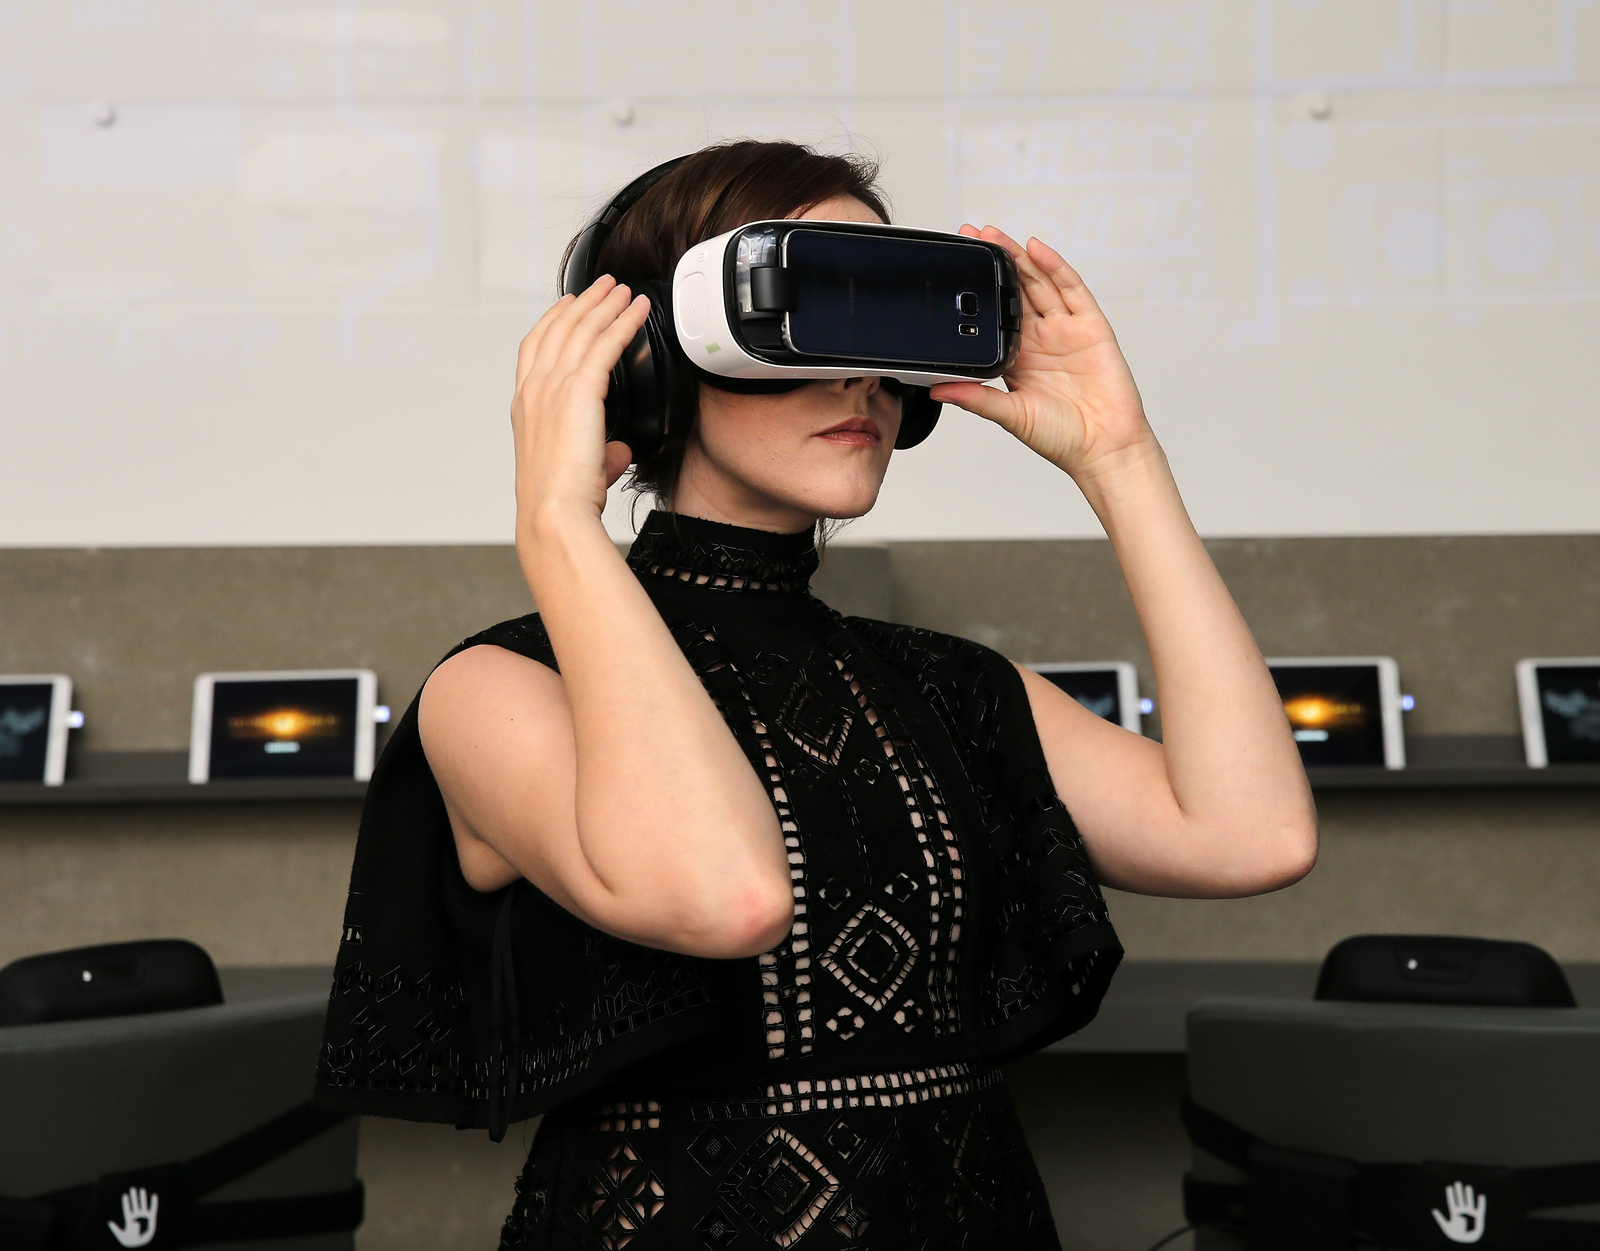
1222	807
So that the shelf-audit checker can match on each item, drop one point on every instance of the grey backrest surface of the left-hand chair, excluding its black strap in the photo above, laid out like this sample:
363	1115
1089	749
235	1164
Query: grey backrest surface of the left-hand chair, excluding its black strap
92	1098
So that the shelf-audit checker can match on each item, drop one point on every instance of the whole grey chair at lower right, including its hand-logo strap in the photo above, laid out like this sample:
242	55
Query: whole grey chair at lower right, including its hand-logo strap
1327	1125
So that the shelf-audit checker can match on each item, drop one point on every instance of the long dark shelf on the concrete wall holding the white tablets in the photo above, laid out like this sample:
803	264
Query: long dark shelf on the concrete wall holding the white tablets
1444	762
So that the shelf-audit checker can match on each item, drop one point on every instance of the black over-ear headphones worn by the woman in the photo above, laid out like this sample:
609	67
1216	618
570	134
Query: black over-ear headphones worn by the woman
652	393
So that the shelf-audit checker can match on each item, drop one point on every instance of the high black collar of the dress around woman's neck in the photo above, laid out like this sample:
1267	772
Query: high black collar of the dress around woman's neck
724	558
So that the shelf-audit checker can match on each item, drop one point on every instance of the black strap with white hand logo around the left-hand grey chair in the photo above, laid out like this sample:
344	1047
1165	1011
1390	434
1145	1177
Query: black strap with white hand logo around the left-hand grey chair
159	1207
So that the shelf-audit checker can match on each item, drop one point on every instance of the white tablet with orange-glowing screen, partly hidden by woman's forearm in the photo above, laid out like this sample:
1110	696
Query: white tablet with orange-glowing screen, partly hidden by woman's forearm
1343	709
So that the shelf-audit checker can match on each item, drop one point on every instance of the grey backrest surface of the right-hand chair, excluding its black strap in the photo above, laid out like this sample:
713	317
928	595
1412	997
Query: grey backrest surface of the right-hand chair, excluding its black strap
1390	1084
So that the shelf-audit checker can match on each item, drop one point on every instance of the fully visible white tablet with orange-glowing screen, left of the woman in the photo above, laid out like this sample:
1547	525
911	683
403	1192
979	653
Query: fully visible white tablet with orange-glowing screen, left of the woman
286	724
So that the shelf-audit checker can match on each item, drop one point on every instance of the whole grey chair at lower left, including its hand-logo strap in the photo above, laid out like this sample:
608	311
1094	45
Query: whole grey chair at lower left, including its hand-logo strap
199	1117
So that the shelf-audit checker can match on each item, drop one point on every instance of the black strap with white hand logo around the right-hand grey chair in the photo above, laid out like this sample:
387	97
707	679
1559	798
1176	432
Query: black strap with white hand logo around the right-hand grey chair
1306	1202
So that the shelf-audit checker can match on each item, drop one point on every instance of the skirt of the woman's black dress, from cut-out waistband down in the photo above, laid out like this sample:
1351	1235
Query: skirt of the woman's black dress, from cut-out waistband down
918	1159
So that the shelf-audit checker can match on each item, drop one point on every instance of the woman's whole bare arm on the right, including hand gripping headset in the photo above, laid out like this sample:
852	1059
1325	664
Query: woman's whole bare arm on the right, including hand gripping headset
1222	807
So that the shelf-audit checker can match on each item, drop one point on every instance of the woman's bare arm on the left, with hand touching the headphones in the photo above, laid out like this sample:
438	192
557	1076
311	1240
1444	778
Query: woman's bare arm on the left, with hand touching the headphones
615	786
